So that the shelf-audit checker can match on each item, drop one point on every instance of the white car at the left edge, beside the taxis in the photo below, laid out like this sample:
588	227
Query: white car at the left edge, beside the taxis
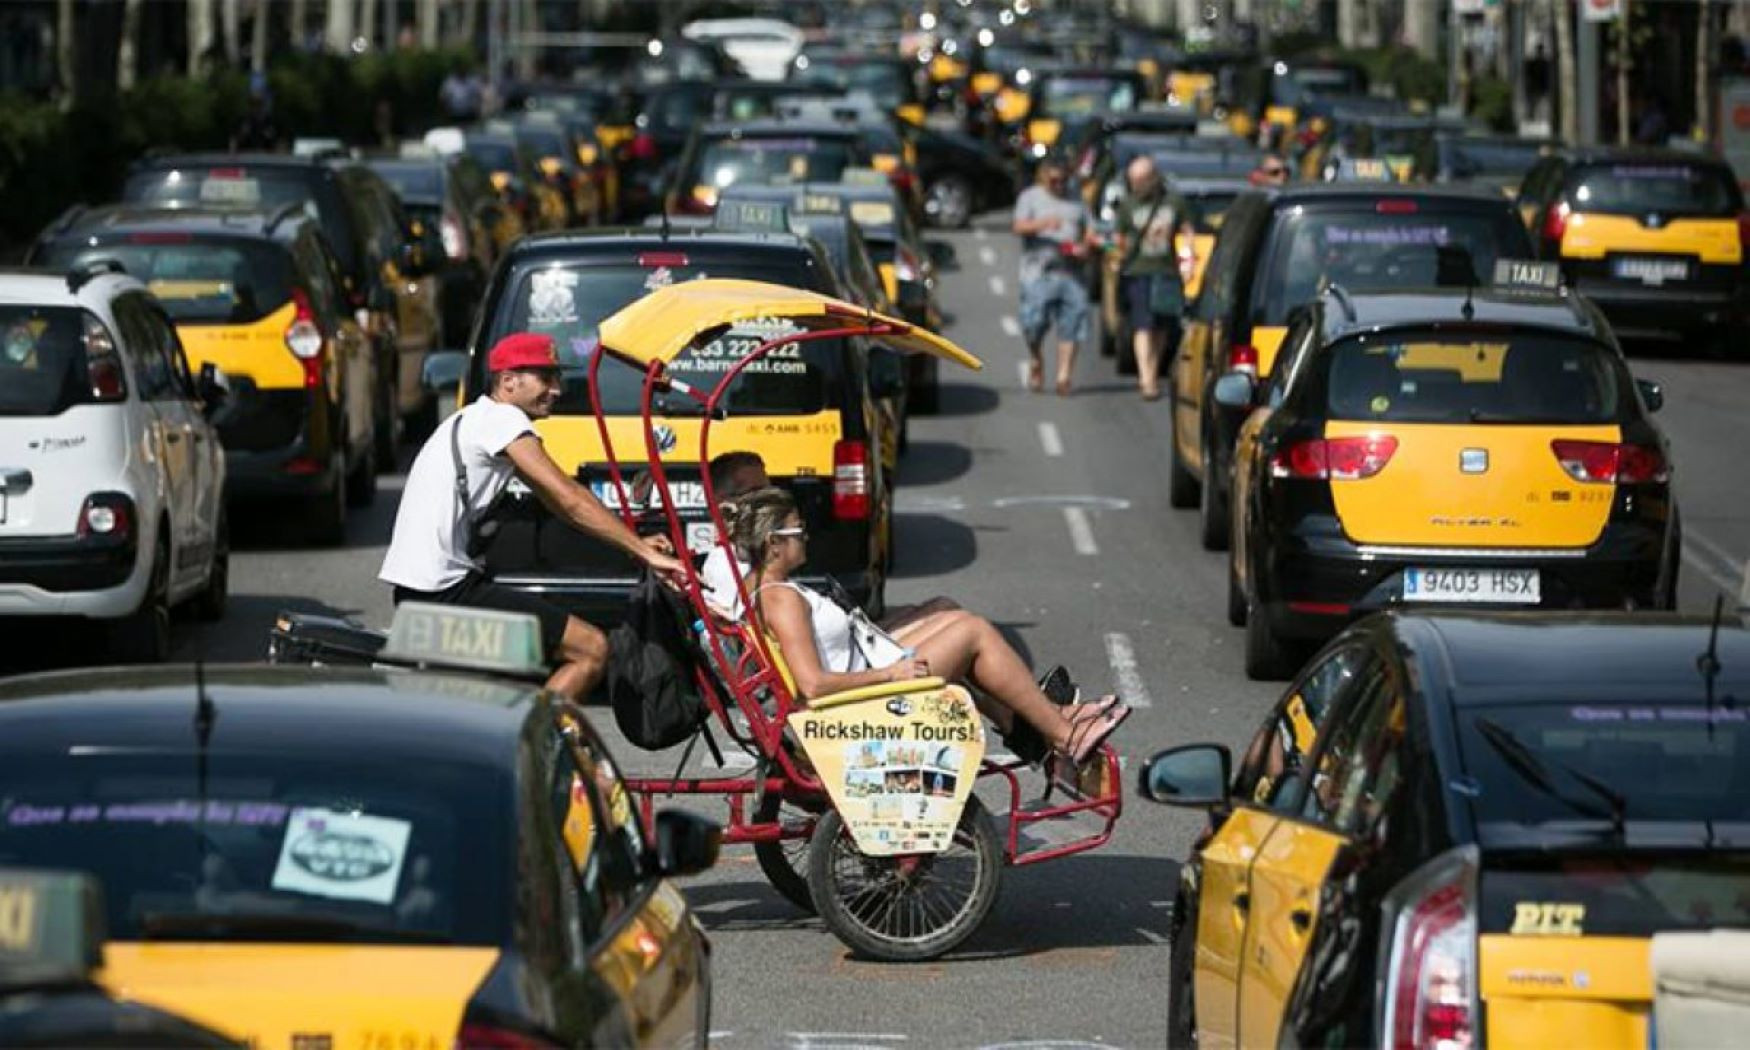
111	475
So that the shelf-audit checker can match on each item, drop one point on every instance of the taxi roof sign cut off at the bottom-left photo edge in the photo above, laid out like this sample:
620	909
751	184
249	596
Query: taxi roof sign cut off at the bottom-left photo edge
52	925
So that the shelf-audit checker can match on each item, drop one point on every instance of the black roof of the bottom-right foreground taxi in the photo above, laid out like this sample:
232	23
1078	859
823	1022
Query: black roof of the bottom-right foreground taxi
1649	657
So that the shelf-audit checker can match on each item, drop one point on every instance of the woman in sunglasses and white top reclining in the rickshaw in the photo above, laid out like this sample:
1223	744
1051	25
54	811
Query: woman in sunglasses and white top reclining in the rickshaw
823	657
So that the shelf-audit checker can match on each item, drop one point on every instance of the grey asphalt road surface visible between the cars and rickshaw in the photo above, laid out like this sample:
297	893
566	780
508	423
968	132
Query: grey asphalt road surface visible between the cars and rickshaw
1047	515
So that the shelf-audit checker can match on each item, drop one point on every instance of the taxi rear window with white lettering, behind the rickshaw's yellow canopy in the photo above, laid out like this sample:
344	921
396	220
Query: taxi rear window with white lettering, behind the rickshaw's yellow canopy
570	304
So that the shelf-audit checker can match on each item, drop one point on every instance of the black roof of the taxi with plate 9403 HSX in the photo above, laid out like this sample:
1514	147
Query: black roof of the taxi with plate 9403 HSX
1375	311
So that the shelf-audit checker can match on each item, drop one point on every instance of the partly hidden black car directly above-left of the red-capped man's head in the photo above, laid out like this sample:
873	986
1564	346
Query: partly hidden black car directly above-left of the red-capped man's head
454	197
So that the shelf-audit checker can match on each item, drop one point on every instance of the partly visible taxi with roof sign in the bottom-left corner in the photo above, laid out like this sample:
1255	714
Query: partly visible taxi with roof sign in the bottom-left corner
52	942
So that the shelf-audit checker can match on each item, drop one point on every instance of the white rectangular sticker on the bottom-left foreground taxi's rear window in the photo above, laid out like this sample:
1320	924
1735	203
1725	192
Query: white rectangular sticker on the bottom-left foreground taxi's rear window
342	857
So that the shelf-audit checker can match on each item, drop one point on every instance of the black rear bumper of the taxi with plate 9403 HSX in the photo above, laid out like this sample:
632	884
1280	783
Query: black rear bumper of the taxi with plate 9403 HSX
1313	584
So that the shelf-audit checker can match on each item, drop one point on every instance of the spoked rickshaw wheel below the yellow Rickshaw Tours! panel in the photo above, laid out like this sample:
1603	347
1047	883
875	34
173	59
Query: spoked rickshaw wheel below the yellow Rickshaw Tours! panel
906	911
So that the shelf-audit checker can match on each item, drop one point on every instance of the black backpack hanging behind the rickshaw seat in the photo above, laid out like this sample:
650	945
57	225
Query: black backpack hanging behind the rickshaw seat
650	669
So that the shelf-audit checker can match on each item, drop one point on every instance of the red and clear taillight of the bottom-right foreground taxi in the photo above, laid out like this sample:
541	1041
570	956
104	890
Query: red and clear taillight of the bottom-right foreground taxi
1432	967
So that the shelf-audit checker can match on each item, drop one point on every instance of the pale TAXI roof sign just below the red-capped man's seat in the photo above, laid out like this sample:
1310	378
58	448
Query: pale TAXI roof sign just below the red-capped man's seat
459	636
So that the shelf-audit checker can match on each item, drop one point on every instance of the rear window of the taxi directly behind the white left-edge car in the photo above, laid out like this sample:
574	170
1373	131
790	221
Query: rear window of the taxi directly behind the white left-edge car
200	281
